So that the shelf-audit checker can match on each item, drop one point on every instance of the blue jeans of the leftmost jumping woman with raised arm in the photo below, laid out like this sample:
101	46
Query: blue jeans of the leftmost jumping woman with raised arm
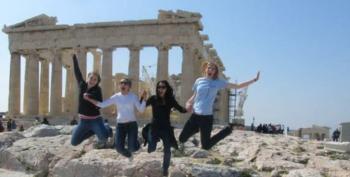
88	127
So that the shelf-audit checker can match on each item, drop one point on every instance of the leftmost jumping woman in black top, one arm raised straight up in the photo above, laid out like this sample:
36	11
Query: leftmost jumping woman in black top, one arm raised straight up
90	120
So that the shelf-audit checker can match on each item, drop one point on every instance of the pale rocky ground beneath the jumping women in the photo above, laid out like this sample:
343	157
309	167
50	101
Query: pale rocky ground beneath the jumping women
46	151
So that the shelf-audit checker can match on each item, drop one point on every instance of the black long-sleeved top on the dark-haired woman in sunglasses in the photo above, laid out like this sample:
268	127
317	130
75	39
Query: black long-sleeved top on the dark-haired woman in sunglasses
161	112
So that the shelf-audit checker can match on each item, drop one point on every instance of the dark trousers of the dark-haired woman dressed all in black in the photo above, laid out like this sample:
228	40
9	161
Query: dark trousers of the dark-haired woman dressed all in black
152	146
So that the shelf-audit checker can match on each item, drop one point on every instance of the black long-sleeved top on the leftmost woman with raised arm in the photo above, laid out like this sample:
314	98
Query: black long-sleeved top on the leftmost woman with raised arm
85	107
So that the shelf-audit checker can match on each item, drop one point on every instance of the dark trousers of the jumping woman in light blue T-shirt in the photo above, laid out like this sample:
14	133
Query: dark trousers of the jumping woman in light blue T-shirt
204	124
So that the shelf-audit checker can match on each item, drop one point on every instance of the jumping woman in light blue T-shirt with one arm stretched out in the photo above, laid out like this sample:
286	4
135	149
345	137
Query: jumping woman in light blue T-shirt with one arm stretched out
205	90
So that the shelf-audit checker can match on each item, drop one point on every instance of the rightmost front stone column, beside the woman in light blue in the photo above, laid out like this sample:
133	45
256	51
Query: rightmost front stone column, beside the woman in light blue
187	76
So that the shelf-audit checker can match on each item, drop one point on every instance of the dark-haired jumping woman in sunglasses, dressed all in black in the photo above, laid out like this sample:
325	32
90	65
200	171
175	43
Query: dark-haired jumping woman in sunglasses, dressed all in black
160	128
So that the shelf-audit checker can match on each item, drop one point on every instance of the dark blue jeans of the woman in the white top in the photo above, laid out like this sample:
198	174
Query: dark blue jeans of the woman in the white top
124	130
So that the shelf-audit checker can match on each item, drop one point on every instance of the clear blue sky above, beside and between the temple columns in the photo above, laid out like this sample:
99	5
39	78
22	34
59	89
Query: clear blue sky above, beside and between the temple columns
302	49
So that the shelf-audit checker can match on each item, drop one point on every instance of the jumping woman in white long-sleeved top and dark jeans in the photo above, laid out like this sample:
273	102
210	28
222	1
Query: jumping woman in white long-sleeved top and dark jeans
126	102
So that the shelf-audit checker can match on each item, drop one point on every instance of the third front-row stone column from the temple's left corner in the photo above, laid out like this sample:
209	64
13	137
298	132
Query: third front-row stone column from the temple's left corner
56	83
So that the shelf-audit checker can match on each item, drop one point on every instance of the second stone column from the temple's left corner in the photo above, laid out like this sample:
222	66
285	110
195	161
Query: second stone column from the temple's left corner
31	84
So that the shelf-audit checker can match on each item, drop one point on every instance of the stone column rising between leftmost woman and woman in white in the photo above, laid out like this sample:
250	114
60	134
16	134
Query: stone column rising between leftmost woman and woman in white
106	77
